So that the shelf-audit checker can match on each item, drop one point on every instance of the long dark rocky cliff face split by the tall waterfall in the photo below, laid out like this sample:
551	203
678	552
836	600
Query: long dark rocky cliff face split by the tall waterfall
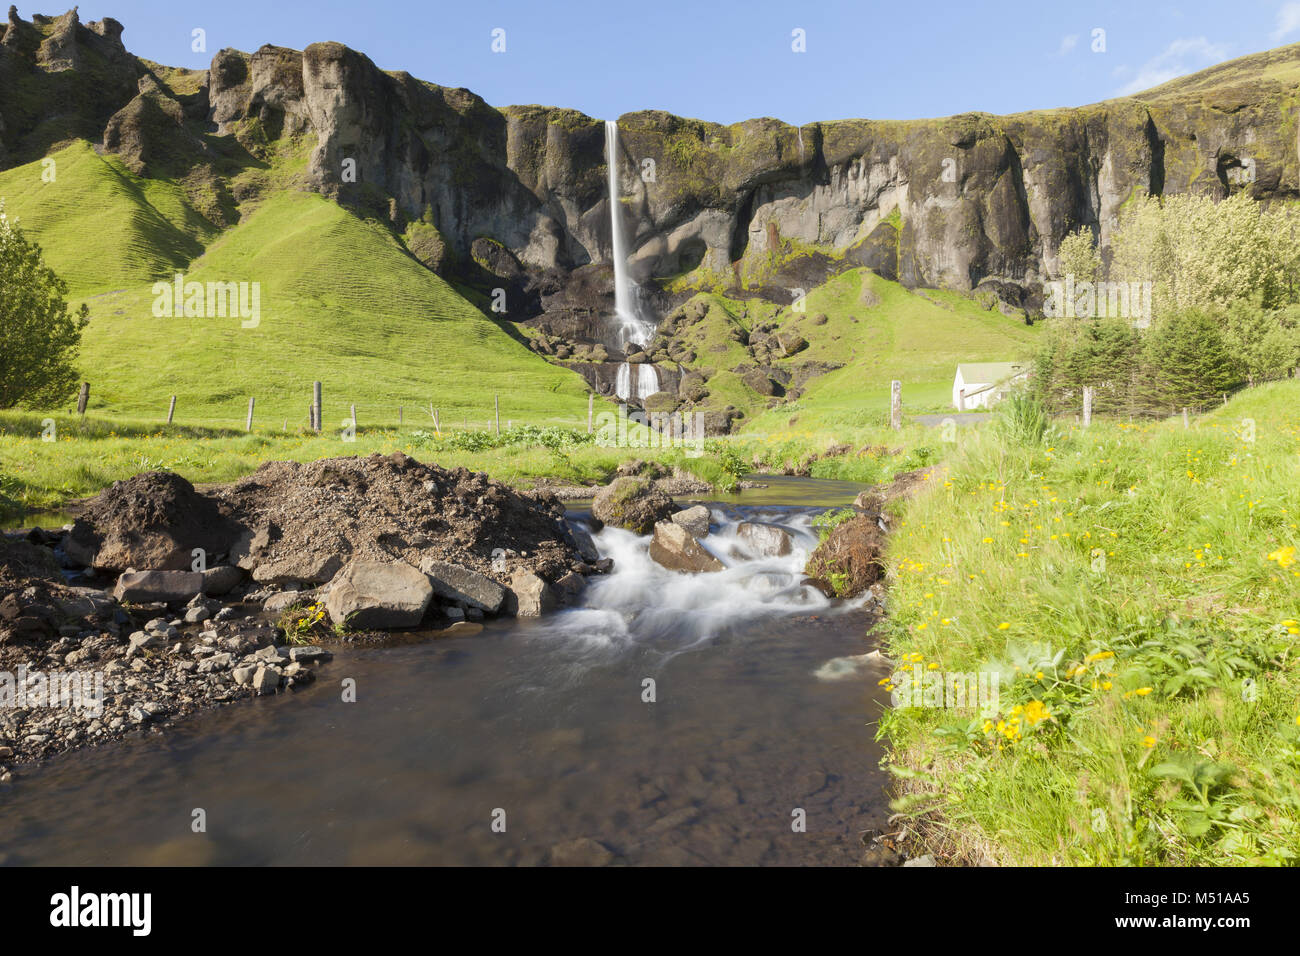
967	202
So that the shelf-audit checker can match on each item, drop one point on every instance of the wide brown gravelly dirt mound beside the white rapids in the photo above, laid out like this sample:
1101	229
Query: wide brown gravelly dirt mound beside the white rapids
302	522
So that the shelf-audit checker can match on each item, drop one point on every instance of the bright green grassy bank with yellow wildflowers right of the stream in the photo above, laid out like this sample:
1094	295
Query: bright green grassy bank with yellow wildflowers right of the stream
1136	585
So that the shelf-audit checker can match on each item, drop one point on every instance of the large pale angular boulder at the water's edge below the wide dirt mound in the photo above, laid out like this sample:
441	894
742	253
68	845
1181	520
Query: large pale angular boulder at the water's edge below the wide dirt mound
379	595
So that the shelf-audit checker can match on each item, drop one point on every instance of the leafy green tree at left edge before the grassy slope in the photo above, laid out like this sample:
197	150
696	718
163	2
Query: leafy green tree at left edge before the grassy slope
40	338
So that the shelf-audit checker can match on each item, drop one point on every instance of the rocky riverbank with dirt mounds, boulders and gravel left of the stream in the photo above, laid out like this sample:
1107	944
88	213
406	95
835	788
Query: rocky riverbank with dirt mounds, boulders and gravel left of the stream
161	600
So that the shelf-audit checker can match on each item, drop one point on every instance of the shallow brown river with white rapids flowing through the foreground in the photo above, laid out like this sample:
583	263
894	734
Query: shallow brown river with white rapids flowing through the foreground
508	746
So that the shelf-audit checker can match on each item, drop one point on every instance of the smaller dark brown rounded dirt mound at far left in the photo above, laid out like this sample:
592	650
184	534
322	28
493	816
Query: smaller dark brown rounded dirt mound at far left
153	521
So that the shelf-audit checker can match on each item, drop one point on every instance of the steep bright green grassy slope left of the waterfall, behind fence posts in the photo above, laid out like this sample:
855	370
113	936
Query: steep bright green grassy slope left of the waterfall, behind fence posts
341	302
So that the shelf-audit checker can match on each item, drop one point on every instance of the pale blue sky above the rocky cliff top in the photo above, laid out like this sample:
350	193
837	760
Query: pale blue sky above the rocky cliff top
729	62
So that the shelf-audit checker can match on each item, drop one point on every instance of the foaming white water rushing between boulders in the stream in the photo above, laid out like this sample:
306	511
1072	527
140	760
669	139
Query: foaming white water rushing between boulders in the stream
643	604
